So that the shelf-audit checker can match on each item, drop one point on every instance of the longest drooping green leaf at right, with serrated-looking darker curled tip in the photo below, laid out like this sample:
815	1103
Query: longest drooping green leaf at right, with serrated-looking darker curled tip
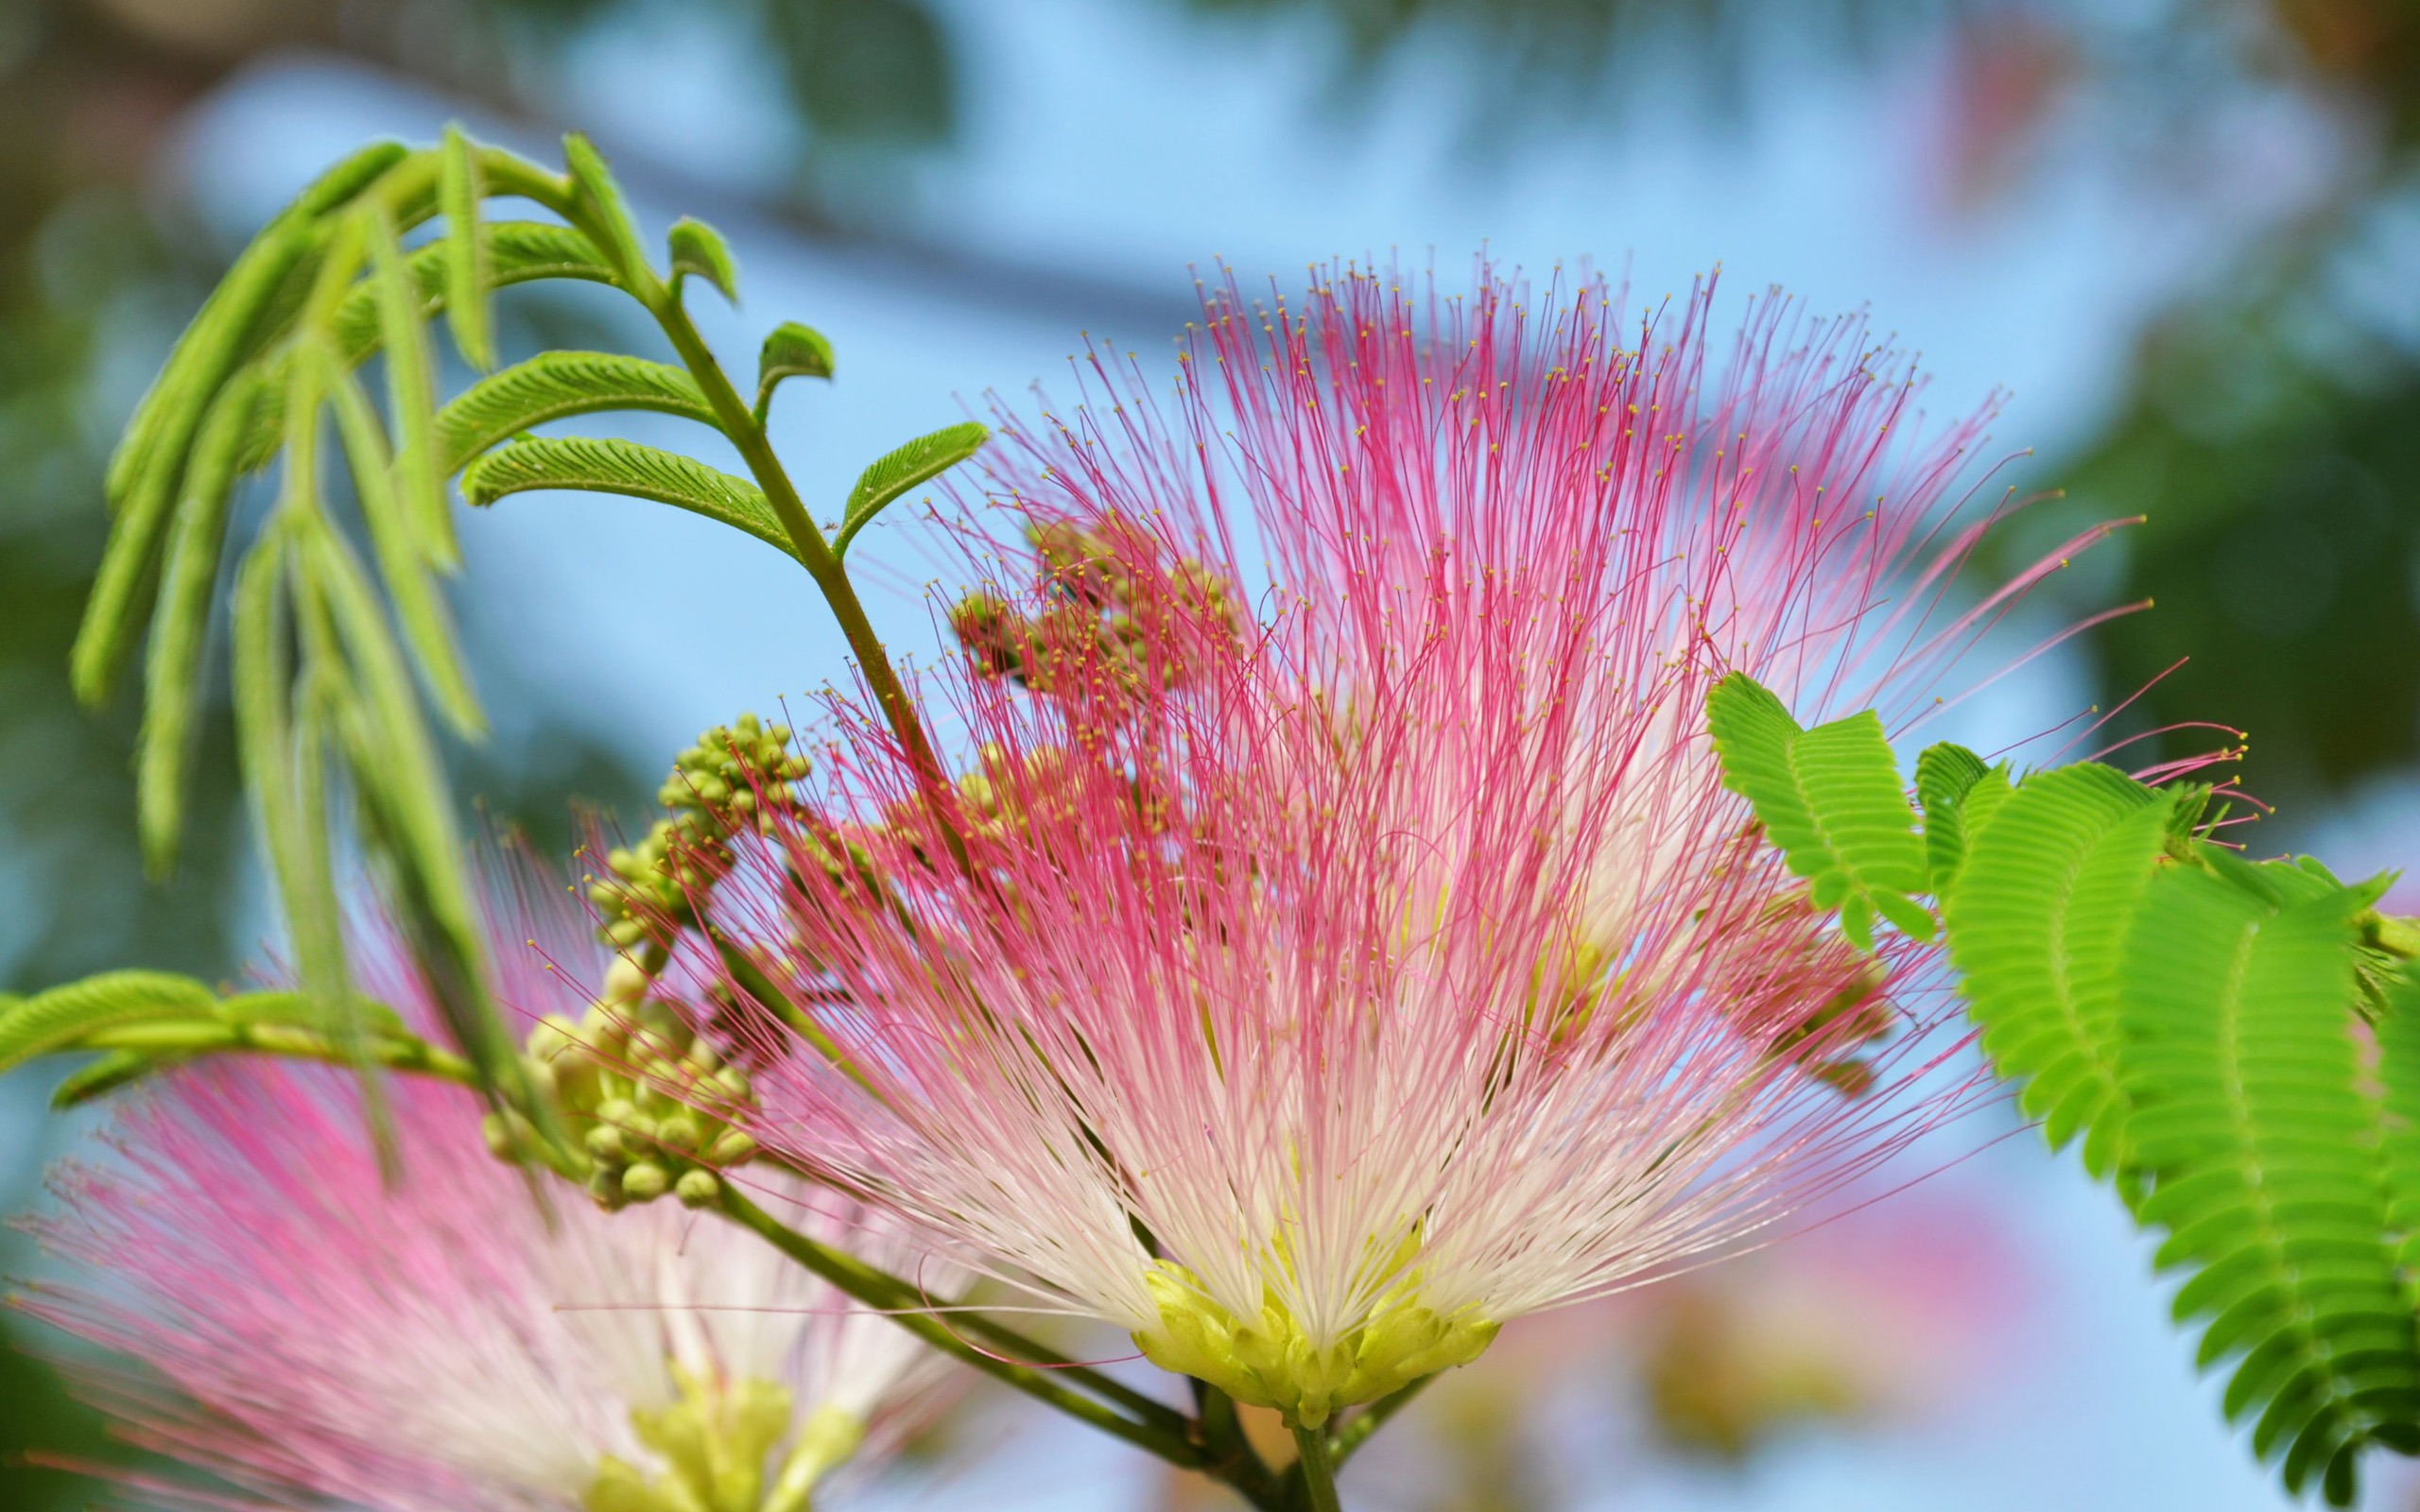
2252	1114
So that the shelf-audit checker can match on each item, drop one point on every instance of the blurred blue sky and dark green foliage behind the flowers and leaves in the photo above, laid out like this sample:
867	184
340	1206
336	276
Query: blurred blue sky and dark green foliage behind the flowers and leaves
2182	233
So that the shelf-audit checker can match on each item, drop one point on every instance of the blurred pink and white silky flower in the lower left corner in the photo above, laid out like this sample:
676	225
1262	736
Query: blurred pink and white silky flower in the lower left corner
313	1337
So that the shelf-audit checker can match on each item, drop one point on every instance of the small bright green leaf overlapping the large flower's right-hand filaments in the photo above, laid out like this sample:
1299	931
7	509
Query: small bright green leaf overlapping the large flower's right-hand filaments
1831	800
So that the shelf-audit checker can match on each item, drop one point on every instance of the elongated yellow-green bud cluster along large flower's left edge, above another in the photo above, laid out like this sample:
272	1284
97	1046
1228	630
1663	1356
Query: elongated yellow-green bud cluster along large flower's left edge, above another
734	775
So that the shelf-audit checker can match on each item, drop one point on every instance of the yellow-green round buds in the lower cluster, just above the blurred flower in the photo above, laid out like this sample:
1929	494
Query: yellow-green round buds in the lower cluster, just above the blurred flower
635	1087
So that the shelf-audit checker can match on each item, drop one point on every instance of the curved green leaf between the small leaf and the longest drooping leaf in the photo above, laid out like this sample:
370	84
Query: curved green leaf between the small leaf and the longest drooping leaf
2034	930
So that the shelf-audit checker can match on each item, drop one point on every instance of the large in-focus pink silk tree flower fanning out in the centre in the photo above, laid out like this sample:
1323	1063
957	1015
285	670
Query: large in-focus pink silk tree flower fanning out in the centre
1330	983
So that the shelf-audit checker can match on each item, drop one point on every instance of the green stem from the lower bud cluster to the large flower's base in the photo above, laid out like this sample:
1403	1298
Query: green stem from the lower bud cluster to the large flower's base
906	1308
